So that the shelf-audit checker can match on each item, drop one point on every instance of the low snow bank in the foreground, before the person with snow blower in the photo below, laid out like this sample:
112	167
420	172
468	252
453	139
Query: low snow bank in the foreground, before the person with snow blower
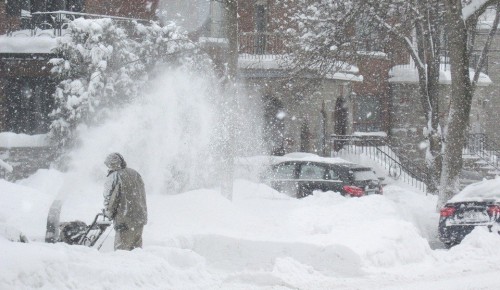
60	266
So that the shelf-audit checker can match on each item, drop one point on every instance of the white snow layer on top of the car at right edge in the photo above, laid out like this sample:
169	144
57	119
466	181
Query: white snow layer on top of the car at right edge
486	189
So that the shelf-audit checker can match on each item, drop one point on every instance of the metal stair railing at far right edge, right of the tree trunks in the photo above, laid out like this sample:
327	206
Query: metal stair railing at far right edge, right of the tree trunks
478	144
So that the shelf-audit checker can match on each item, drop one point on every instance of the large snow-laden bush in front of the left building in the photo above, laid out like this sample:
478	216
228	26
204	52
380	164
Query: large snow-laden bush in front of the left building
105	64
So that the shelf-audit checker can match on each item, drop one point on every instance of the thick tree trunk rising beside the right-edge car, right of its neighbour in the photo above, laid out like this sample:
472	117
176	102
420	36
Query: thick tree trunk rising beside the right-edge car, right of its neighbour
460	104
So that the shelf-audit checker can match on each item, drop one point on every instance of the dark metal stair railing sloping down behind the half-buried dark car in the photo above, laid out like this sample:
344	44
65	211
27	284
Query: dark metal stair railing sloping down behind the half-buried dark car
378	150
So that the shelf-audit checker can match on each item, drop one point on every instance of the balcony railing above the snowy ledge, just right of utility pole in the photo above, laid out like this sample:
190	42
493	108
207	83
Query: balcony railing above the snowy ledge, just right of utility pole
262	44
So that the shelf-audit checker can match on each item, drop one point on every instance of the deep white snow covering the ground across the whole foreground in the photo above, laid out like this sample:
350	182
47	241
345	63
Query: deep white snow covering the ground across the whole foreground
260	240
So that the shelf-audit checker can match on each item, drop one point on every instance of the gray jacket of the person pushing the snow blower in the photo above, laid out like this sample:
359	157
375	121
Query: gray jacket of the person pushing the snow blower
125	198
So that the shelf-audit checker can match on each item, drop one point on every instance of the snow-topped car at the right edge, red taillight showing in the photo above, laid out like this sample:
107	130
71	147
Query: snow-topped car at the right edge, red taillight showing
477	205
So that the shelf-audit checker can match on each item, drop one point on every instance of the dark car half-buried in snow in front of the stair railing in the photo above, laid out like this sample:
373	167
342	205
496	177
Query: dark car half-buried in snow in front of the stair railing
300	177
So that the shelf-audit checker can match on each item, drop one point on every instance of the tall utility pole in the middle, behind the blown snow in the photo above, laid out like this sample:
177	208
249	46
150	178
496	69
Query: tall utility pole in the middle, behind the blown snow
230	95
